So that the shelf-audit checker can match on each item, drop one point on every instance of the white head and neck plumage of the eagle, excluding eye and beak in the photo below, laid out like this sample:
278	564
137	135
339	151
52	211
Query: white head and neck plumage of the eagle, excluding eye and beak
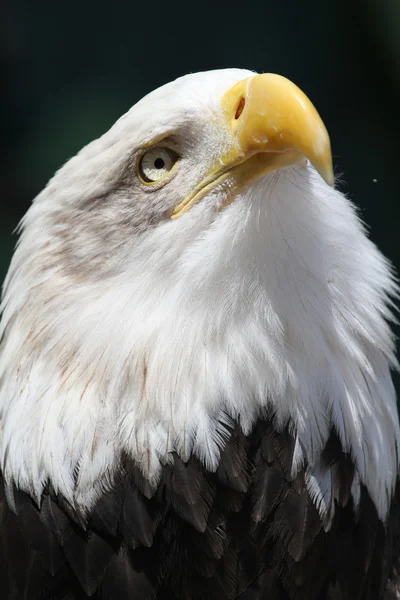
124	330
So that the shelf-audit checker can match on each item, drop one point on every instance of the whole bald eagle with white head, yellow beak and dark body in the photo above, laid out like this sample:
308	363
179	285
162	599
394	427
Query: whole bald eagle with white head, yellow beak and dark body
195	390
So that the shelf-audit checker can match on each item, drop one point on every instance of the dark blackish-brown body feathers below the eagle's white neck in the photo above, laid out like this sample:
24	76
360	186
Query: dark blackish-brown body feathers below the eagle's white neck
248	531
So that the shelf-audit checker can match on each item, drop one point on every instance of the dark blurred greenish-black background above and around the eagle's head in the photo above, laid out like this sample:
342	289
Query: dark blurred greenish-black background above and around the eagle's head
69	70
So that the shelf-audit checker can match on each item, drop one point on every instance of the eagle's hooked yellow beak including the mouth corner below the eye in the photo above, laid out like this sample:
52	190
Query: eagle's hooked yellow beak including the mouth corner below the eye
273	124
